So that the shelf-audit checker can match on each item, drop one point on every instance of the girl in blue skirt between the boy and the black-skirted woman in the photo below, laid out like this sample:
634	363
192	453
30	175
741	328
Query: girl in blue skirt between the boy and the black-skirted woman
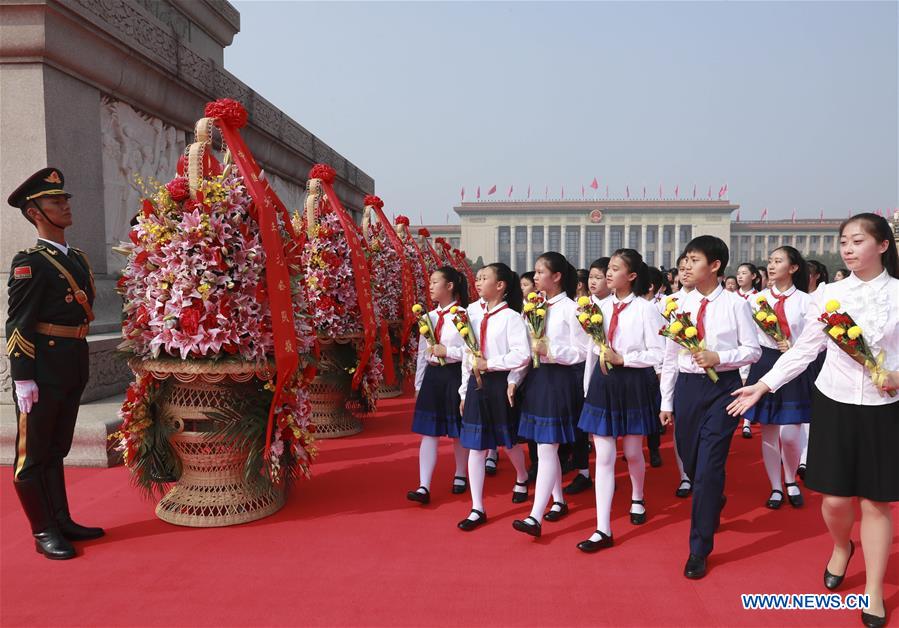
782	414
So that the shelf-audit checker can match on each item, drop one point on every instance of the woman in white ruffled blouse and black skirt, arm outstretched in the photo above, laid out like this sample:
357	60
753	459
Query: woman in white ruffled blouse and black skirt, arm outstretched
853	448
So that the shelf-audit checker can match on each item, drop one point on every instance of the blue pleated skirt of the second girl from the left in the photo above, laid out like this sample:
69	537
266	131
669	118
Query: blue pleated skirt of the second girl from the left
488	421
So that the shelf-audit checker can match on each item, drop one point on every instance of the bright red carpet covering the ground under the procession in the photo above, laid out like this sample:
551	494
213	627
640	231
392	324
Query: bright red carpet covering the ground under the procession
348	549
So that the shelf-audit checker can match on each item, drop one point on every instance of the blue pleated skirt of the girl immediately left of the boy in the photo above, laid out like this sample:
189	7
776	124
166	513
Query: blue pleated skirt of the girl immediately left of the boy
626	401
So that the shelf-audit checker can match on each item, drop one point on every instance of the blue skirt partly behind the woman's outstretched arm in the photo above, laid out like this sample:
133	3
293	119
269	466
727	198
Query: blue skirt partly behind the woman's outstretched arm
790	405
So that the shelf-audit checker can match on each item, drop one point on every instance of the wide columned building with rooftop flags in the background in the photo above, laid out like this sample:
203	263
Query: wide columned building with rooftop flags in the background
516	232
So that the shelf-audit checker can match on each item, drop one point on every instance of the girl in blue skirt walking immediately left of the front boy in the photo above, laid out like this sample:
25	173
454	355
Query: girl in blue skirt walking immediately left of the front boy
624	401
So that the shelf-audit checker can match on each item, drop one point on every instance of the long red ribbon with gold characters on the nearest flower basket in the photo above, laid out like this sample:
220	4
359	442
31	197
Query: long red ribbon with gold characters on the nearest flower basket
276	274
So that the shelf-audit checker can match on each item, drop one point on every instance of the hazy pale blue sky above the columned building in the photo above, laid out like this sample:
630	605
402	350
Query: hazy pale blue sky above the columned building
792	104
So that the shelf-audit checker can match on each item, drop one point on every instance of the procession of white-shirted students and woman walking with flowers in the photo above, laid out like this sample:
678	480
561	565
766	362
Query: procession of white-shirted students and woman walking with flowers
554	390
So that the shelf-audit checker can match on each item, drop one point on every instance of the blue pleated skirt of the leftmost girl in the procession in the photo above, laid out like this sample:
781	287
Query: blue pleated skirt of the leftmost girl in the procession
437	406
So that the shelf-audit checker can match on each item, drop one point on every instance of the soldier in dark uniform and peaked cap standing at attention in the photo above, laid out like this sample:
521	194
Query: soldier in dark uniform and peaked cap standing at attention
51	291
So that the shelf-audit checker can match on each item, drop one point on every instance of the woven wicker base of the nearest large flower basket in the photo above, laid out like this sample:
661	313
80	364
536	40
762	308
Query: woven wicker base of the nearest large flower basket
213	489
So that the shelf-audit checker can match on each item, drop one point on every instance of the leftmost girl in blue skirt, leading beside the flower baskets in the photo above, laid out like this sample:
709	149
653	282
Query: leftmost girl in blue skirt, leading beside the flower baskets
437	387
